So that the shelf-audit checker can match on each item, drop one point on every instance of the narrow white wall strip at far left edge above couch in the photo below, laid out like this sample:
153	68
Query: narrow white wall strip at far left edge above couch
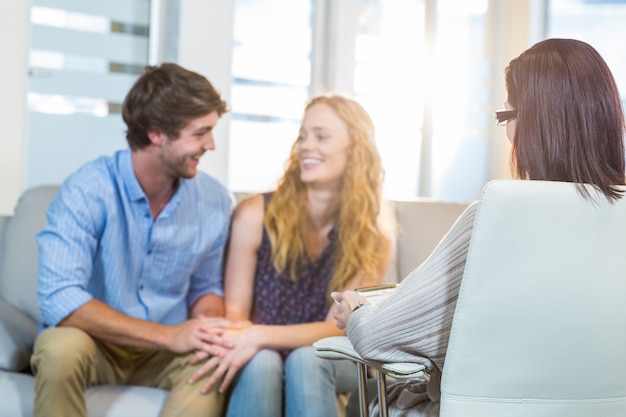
14	21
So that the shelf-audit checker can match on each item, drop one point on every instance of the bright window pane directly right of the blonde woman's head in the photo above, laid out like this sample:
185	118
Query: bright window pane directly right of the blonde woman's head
390	73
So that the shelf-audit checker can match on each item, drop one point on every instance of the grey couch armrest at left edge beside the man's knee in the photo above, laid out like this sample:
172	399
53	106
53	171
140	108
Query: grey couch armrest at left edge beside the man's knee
17	335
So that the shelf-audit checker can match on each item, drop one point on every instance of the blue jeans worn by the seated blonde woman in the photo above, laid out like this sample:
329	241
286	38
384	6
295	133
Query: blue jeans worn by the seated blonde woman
303	386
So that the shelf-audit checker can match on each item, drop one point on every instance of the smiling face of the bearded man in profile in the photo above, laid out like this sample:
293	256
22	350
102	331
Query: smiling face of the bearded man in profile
180	156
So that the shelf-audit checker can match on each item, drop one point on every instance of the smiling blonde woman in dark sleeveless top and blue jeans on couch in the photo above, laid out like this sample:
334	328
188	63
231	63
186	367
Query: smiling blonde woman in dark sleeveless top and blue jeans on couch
319	231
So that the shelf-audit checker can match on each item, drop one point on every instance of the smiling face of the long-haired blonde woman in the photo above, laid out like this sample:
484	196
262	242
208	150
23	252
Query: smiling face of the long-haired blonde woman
323	146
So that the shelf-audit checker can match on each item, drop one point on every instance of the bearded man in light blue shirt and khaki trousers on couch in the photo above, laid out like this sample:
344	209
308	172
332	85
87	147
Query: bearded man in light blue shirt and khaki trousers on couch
130	262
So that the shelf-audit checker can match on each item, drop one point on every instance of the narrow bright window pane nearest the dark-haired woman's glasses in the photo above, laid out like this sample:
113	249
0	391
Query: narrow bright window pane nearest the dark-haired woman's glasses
461	102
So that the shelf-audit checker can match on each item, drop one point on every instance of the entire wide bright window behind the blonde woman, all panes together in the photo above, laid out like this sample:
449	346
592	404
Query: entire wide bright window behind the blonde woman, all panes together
409	62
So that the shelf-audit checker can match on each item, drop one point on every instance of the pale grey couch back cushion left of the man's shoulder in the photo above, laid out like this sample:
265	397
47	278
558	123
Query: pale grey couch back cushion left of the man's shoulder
18	271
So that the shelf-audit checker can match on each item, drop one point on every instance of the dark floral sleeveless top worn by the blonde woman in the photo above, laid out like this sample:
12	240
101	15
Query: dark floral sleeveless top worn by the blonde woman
279	300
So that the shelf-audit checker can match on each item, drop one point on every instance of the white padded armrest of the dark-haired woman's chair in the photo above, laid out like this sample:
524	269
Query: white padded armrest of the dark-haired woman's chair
340	347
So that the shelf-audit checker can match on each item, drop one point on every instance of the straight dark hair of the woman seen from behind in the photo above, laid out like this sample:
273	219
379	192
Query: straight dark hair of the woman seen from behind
570	121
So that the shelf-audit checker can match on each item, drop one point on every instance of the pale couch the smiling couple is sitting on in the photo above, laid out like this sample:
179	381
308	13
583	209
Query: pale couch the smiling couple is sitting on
421	224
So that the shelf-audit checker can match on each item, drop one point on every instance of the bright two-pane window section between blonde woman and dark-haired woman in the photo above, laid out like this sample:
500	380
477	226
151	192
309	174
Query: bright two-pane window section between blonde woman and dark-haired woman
421	70
